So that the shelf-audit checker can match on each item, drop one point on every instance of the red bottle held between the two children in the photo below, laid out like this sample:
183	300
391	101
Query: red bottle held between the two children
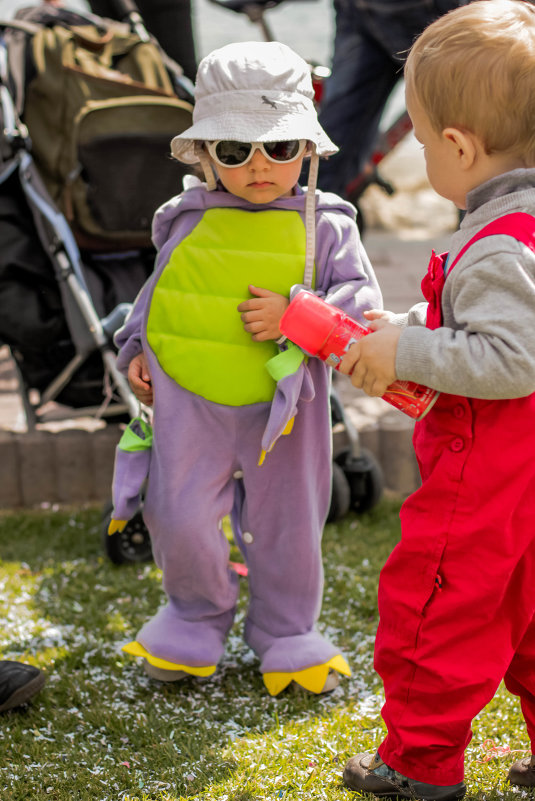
326	332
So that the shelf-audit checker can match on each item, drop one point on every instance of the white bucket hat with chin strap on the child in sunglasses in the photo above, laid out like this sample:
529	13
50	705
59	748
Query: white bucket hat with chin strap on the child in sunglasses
256	92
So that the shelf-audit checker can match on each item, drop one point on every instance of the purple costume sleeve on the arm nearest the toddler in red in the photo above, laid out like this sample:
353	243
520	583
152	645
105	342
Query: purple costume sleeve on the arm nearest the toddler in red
344	275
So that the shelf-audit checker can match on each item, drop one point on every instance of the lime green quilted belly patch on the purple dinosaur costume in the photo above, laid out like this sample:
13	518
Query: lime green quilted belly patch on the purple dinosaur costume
194	327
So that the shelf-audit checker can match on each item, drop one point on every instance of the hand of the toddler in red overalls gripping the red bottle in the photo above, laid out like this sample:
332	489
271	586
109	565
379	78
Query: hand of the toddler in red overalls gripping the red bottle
371	362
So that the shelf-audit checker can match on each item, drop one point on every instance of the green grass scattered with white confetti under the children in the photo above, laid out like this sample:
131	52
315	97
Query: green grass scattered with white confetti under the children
102	731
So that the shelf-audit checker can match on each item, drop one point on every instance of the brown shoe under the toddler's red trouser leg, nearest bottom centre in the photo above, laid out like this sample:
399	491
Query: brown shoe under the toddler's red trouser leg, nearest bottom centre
369	774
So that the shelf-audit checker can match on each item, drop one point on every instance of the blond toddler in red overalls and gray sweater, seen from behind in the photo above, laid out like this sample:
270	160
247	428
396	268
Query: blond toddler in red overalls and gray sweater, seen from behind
456	596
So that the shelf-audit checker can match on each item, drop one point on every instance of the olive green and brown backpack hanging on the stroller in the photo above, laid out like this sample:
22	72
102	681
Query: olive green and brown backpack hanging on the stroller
101	112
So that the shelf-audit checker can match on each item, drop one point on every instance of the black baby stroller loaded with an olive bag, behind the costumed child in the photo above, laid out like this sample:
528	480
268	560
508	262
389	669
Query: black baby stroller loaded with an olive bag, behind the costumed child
75	241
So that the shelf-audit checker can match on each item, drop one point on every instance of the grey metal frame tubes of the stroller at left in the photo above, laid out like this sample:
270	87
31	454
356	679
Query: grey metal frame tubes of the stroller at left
89	332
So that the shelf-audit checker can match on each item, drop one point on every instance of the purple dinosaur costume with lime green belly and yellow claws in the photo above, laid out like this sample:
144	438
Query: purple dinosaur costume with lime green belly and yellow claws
204	461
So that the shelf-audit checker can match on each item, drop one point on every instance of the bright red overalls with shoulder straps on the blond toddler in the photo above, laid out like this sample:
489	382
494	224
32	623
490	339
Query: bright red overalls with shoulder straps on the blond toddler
457	594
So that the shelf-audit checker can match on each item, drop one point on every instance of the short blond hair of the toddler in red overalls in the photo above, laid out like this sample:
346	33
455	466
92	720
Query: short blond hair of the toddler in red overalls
474	69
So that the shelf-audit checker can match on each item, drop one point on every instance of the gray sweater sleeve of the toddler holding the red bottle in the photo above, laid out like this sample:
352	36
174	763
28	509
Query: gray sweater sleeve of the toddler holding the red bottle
486	346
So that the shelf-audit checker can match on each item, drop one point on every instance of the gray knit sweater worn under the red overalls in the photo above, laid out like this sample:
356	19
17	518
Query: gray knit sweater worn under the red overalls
486	346
